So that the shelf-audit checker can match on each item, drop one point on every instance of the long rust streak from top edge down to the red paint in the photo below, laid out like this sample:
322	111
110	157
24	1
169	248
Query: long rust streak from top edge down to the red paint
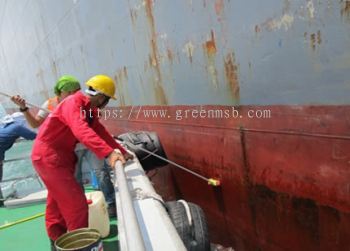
154	55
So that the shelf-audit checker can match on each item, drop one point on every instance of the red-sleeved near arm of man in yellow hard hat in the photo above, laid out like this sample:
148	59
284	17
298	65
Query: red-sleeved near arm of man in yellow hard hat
71	115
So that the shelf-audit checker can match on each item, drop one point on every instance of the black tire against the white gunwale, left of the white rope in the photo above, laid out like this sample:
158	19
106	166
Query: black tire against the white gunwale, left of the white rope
178	216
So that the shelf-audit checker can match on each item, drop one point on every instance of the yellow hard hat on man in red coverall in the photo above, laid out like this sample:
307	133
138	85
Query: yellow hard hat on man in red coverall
102	84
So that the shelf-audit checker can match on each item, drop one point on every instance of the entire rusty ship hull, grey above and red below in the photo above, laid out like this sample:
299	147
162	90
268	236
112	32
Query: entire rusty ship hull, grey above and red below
285	172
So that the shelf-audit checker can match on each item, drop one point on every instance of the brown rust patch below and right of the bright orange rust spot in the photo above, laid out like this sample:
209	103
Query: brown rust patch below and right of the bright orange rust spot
231	73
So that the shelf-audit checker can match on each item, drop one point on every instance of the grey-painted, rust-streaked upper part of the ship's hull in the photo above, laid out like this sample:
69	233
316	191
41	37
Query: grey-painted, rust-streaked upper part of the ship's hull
181	52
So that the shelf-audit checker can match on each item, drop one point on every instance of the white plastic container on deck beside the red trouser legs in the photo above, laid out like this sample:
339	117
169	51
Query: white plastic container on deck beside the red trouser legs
98	214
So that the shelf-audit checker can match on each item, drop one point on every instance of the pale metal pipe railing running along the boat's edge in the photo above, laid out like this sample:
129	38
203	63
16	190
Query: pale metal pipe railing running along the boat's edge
134	240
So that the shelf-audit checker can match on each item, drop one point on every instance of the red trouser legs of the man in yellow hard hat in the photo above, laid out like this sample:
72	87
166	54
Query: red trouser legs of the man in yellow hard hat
66	207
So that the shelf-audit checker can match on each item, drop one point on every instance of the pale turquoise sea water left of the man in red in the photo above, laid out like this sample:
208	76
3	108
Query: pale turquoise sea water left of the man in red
27	181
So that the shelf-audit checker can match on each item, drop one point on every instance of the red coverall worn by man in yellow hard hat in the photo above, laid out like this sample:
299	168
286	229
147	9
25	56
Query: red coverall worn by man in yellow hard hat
54	159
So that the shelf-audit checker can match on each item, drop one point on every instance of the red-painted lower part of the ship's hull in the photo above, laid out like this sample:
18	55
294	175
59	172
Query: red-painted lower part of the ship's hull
285	180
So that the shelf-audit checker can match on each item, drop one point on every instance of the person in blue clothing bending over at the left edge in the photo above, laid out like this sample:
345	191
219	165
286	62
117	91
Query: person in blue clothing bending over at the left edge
11	128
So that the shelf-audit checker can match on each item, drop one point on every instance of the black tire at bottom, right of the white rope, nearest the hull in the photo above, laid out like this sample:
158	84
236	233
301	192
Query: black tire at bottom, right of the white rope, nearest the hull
200	235
